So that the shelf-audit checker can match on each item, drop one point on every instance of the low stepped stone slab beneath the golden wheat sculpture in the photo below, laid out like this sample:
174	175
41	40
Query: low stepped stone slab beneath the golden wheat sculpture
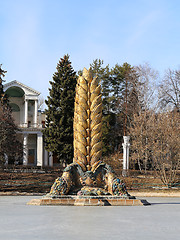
72	200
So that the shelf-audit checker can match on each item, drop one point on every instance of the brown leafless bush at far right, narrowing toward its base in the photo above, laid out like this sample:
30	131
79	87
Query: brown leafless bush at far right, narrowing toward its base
165	136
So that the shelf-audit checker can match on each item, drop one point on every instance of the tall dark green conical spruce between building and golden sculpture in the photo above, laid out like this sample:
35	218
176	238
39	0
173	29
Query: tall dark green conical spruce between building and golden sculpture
58	130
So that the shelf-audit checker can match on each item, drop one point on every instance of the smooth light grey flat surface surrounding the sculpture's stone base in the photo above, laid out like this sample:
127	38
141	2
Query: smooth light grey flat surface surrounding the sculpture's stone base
19	221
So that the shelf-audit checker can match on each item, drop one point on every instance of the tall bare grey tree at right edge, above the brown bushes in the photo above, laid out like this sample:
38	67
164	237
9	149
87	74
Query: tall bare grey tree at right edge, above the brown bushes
169	90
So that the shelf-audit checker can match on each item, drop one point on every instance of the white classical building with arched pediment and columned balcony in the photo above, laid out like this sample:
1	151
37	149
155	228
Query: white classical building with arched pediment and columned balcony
24	104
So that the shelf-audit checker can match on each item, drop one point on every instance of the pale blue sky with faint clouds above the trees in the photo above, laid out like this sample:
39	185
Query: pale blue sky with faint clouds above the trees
35	34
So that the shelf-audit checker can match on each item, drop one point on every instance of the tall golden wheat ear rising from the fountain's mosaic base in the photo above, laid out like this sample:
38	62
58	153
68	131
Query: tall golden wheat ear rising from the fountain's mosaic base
88	121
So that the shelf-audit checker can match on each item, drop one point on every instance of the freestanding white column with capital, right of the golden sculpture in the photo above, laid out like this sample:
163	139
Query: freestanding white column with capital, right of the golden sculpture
126	146
